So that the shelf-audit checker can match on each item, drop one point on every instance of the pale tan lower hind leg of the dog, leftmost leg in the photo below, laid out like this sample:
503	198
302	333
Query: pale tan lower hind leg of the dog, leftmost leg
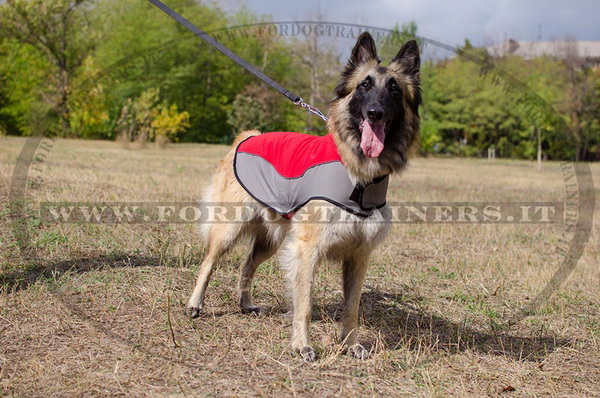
220	239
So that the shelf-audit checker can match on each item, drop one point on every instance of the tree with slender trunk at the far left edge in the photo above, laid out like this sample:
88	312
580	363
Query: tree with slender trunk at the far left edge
59	30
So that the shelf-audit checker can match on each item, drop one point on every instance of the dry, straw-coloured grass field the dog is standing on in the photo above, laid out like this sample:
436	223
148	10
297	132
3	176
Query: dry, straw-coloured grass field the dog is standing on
97	309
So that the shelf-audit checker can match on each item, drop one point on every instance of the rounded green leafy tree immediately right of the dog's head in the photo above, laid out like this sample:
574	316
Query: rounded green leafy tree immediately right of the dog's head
465	112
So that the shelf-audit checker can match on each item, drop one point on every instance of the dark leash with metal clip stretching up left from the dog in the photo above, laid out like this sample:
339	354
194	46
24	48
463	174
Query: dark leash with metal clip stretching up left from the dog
239	60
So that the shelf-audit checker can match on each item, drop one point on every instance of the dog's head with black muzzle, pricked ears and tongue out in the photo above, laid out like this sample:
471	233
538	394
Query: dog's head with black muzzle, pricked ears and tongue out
375	111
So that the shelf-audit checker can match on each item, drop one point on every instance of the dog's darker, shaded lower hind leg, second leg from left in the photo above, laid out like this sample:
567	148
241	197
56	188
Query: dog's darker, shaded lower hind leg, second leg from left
262	250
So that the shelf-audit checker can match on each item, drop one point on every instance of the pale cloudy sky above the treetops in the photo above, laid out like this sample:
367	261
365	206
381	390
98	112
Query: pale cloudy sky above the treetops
484	22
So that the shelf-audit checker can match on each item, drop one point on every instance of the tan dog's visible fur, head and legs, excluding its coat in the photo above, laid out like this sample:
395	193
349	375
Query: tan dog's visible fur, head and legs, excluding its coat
374	123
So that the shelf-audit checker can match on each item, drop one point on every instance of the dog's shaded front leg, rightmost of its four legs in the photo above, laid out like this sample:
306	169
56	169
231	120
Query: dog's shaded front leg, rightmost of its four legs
354	270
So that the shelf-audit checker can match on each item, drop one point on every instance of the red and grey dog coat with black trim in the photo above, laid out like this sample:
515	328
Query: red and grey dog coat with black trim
285	171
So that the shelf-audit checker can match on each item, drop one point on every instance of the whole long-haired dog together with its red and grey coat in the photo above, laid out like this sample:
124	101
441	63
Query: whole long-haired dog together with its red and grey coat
373	128
